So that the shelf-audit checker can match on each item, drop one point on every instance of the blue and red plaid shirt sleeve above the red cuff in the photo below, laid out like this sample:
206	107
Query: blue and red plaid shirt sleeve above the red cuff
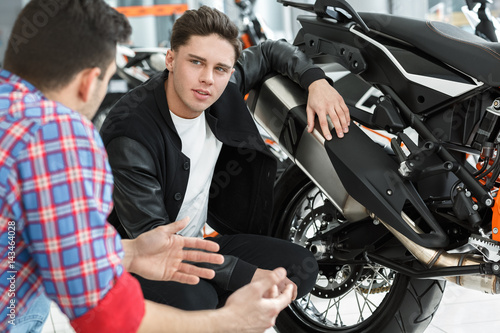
67	194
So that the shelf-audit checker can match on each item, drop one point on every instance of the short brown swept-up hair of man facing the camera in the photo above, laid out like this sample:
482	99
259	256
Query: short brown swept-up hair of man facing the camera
204	22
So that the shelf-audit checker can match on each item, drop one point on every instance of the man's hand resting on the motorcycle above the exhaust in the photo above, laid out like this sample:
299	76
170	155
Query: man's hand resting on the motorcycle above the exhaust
323	101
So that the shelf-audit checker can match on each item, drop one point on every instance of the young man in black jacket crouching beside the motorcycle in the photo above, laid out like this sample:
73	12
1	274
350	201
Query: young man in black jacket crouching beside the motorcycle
184	144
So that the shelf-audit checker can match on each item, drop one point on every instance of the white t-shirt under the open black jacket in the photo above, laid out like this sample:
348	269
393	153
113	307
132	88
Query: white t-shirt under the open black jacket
202	148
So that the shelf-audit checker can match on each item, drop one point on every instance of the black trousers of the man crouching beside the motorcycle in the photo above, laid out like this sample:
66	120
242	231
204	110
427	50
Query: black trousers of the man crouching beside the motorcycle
261	251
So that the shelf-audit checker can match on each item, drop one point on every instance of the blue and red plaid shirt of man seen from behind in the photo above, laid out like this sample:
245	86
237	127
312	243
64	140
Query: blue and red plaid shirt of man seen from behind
55	195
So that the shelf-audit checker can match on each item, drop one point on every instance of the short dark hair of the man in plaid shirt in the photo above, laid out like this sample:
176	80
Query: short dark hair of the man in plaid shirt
53	40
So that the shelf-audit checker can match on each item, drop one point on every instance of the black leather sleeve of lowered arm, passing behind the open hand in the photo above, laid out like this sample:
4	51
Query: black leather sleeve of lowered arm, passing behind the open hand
139	204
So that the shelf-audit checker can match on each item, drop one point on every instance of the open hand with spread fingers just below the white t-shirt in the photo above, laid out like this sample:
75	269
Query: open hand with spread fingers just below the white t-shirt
160	254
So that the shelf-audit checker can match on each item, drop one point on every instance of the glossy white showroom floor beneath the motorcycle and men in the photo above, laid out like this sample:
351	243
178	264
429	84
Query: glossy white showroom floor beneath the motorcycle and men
461	311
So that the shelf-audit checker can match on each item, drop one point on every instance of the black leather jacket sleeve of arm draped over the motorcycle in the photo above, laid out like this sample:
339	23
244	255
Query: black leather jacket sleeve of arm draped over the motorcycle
274	56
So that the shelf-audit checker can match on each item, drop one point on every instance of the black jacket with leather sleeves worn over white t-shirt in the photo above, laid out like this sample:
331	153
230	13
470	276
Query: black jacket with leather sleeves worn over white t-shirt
151	173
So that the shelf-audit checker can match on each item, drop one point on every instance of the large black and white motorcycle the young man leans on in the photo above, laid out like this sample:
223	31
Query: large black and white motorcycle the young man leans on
407	201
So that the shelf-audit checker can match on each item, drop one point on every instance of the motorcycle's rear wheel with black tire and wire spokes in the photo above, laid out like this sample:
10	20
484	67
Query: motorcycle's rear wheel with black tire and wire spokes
355	296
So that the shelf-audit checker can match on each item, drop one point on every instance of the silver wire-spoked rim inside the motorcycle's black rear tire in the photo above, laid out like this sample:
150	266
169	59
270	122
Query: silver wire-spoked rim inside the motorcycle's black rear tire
345	295
